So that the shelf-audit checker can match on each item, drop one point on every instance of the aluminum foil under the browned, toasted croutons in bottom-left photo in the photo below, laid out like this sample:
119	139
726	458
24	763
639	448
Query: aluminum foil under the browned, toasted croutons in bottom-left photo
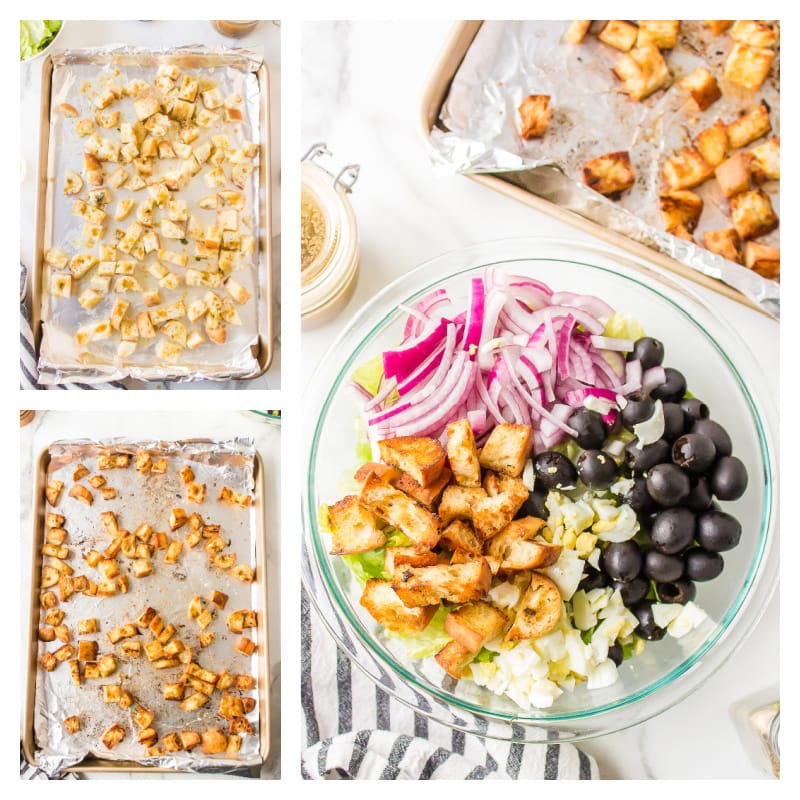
169	589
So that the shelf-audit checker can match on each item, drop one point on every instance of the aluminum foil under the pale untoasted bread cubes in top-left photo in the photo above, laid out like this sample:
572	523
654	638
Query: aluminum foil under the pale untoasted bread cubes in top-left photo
77	77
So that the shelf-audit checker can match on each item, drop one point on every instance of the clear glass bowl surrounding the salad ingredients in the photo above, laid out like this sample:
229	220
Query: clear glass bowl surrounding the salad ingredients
719	368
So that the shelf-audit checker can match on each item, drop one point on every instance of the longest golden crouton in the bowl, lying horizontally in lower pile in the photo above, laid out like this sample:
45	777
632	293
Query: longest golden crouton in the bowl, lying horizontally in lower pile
455	583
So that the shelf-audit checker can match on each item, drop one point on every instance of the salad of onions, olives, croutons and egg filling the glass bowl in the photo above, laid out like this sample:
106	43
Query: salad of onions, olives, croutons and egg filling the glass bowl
542	494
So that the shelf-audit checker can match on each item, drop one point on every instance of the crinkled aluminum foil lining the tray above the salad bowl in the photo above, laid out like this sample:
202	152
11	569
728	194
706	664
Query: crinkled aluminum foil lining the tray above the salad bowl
478	132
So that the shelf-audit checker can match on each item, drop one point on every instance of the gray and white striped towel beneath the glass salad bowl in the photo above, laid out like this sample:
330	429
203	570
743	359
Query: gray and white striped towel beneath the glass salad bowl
355	730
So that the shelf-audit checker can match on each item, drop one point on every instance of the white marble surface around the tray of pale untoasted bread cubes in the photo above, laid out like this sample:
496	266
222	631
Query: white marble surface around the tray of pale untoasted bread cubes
158	34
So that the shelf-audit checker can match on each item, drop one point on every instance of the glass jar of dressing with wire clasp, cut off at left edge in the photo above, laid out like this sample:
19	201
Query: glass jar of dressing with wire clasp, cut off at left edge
329	245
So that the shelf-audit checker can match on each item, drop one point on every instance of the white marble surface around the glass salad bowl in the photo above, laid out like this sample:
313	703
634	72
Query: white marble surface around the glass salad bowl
362	84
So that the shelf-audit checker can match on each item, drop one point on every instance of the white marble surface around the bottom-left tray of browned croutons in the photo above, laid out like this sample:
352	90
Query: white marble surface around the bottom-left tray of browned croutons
49	426
